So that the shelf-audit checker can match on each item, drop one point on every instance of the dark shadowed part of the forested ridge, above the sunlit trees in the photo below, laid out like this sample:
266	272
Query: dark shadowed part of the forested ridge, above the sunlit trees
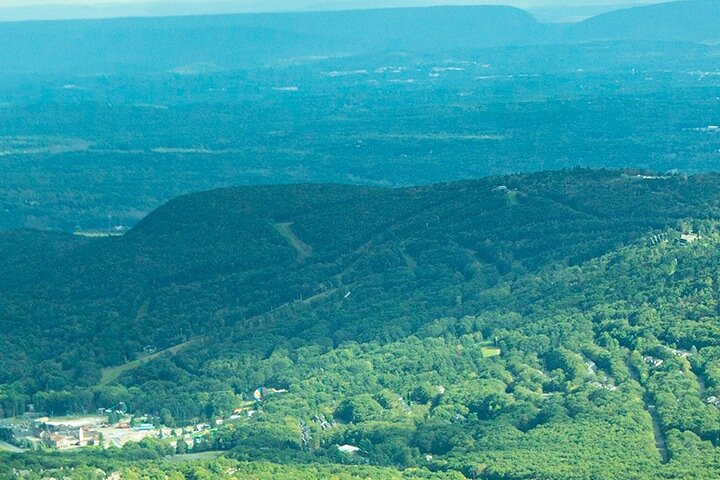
230	254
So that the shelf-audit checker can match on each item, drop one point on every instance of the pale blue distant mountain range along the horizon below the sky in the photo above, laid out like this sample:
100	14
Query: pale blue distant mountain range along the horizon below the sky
240	41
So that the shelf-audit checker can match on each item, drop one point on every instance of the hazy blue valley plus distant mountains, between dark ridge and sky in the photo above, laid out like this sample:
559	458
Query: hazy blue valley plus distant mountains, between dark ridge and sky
311	97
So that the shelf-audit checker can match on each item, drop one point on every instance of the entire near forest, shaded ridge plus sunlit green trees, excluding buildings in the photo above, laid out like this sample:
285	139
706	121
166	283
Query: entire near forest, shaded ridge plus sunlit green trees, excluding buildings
558	325
